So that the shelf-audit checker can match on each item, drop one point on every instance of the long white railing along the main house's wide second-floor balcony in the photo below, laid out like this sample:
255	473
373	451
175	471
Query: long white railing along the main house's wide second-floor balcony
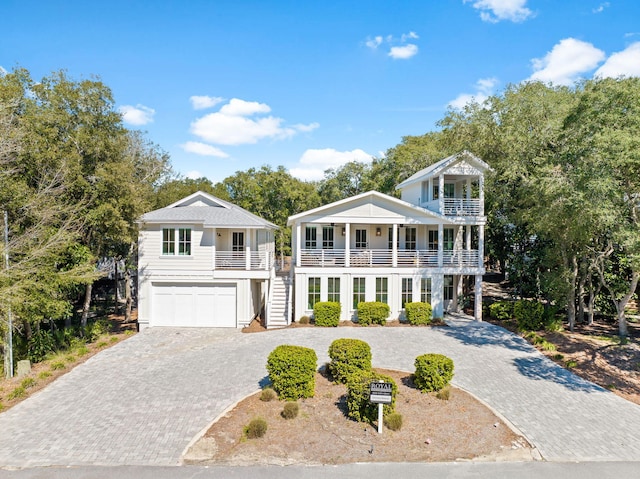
371	258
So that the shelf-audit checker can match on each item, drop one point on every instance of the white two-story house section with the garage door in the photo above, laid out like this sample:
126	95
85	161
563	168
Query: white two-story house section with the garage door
205	262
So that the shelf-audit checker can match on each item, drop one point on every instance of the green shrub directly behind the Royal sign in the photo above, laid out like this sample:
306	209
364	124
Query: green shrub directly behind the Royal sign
359	407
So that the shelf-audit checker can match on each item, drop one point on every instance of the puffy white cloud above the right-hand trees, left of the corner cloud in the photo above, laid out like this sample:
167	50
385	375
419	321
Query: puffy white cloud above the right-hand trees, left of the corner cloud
566	61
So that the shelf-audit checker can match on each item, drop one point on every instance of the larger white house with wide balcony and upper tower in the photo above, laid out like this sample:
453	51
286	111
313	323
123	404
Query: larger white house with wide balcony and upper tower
374	247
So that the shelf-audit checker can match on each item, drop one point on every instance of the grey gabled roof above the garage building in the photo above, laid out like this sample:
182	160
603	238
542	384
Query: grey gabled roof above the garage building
203	208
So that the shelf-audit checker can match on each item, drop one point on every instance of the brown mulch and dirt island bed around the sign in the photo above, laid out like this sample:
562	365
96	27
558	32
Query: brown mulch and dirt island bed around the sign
460	428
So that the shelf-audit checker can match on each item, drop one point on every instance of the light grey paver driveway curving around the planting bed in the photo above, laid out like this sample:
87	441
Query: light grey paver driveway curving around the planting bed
142	401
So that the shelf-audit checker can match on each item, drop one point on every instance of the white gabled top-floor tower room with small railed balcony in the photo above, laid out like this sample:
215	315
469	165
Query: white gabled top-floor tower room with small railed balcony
453	186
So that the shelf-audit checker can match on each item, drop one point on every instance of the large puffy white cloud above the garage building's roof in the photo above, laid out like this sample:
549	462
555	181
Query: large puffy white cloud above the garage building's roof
238	123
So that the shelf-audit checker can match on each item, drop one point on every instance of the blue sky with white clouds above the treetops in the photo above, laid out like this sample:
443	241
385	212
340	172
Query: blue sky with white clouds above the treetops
228	85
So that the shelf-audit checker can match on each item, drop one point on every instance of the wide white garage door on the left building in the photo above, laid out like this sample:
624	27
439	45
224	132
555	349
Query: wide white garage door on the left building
194	305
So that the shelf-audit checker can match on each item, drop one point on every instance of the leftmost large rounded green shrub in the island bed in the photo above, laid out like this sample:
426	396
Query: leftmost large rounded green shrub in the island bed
292	371
